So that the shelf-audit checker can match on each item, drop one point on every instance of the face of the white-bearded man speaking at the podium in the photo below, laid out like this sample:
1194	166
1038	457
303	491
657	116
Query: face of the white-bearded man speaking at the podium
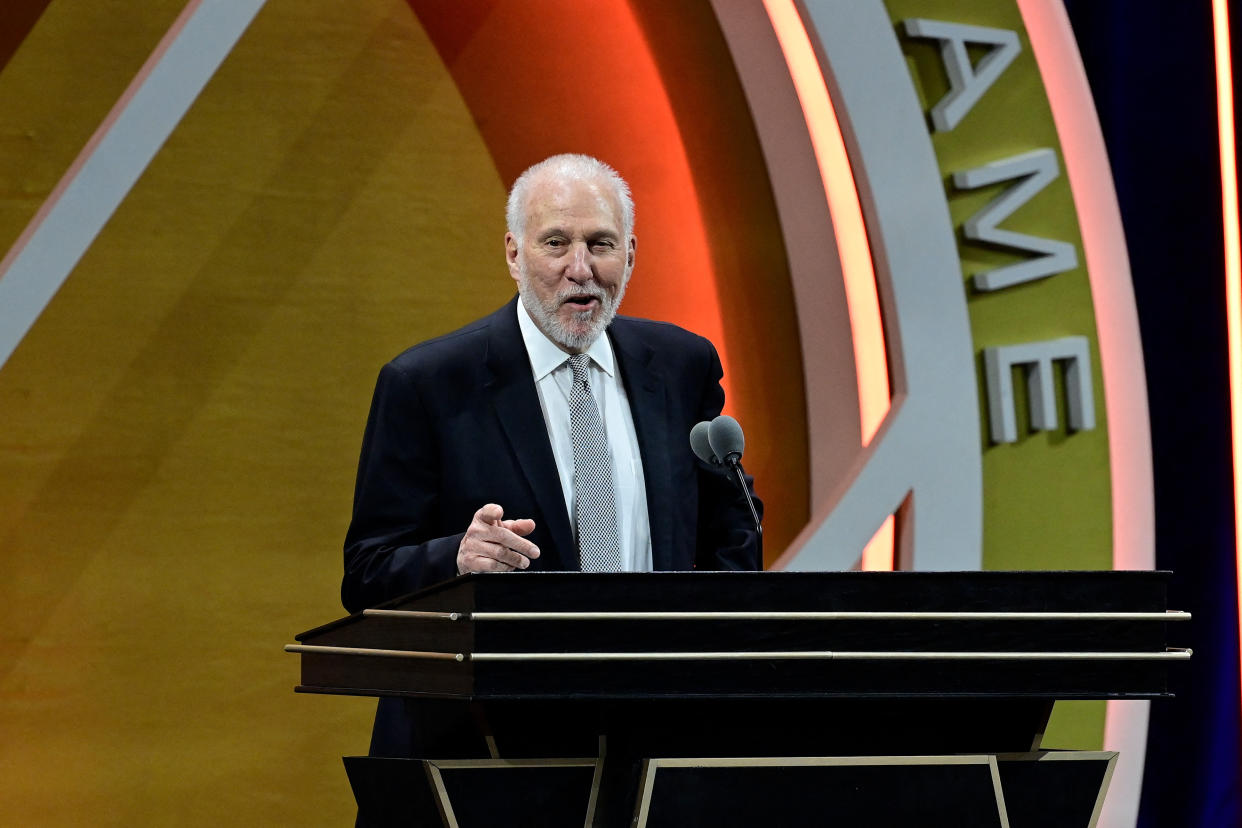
574	263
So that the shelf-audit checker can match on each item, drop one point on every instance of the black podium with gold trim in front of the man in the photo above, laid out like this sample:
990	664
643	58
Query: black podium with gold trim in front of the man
751	698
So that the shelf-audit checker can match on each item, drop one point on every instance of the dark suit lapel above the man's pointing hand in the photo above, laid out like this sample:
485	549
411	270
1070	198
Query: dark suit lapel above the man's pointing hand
512	392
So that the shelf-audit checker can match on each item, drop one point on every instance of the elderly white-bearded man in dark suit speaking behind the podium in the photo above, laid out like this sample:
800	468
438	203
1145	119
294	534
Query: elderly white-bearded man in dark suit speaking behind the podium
552	434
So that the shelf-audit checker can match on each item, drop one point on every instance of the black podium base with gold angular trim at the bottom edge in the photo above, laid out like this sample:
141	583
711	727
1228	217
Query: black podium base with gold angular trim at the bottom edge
1036	790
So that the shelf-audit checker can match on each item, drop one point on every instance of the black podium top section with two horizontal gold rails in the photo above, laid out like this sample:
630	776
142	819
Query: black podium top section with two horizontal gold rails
725	635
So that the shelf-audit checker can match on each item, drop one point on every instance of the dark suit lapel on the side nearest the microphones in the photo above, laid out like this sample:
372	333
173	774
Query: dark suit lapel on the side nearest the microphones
646	389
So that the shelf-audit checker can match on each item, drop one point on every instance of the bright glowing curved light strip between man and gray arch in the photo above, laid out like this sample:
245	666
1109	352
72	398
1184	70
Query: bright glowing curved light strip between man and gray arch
871	359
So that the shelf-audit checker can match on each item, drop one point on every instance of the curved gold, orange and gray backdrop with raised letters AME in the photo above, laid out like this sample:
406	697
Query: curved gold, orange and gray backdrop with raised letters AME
192	348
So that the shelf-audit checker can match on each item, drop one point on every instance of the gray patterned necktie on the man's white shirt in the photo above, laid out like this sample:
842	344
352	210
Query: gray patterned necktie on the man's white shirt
598	547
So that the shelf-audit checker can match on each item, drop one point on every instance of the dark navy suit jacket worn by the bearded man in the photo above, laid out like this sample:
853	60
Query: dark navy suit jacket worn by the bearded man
456	424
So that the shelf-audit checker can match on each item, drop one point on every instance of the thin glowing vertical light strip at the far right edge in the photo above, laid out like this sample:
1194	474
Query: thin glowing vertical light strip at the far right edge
1233	255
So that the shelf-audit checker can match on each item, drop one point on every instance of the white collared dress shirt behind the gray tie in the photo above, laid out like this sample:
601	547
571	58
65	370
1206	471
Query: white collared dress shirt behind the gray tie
555	382
